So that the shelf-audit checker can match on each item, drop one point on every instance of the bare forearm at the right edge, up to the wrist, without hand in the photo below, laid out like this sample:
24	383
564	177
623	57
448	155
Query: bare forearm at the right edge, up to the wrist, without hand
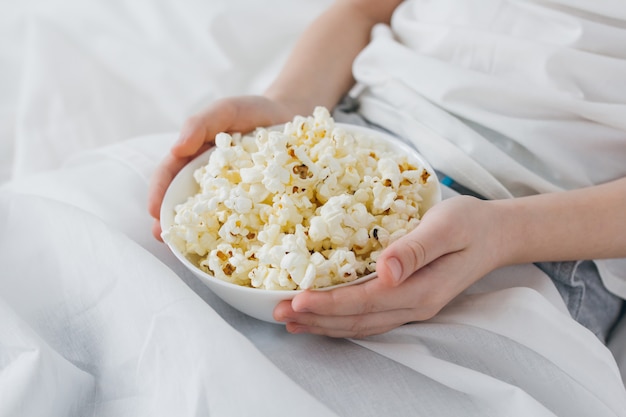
587	223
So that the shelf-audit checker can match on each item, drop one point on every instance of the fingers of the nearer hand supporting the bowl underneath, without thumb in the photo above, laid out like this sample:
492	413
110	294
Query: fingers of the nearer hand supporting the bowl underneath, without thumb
375	307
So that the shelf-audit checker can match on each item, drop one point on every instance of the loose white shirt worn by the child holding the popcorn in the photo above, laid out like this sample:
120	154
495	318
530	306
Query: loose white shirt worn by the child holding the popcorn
509	98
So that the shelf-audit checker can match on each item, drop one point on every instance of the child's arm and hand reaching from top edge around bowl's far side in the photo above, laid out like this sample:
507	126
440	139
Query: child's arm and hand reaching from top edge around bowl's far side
318	72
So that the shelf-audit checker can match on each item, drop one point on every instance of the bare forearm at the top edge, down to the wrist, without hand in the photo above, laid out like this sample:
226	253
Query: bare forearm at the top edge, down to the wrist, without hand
319	70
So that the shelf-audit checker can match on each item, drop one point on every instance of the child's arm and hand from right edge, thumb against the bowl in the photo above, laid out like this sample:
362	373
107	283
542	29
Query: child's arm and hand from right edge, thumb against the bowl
458	242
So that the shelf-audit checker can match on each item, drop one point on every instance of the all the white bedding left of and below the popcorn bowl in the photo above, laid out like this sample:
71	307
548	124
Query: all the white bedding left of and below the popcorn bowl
100	319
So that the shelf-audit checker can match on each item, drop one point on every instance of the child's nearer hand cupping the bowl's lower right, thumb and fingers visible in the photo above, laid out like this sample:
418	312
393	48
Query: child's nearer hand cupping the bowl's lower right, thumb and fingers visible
456	244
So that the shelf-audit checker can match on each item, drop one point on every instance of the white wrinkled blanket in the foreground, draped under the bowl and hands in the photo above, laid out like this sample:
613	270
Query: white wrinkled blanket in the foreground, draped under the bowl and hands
91	299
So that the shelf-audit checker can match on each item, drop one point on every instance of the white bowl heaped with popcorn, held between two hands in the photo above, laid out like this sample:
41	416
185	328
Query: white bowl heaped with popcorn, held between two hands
308	205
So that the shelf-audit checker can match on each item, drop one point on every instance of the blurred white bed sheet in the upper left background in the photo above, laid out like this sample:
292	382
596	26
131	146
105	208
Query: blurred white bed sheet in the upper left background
77	75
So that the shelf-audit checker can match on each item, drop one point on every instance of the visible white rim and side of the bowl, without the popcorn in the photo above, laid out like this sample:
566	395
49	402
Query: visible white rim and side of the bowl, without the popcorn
256	302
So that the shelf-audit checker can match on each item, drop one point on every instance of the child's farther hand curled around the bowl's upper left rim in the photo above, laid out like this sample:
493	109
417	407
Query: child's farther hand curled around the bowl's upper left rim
238	114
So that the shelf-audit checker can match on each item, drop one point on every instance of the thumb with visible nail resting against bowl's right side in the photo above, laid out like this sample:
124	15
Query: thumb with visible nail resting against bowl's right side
427	242
